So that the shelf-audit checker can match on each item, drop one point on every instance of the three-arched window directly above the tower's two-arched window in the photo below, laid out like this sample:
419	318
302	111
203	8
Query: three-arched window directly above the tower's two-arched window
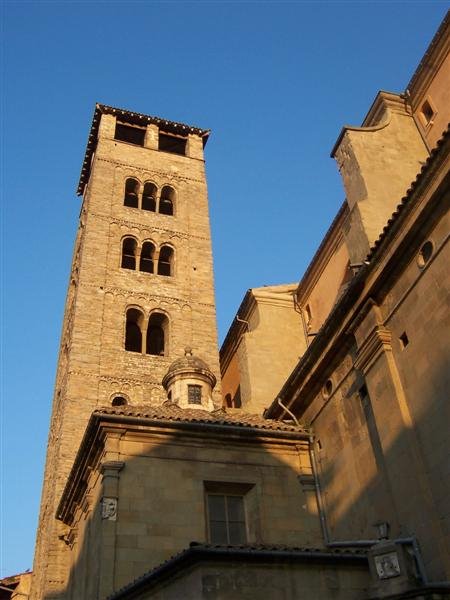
147	257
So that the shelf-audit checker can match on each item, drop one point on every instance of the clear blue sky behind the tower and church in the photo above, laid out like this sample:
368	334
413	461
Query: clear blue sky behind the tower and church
275	81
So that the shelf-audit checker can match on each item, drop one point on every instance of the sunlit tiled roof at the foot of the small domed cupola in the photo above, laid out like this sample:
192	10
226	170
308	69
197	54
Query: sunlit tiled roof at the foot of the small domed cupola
171	412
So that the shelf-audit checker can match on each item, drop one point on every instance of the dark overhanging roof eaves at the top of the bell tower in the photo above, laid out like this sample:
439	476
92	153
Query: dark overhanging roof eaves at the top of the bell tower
135	119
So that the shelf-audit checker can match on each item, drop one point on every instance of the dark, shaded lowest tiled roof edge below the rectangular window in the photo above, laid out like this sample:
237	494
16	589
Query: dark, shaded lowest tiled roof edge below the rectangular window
259	552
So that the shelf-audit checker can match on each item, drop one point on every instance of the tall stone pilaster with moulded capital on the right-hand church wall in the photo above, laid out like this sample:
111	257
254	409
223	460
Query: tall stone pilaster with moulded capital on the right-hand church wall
402	458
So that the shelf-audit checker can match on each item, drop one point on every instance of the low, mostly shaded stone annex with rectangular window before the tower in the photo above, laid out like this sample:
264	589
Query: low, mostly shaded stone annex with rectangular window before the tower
157	487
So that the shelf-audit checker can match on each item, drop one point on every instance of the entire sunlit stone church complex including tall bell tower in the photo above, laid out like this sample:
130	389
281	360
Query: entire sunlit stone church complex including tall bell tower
177	472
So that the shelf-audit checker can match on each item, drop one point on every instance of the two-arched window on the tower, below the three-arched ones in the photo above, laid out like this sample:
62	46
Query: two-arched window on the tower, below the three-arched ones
146	336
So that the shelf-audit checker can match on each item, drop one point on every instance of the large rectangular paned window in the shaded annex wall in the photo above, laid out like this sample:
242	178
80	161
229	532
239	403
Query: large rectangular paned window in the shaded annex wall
226	519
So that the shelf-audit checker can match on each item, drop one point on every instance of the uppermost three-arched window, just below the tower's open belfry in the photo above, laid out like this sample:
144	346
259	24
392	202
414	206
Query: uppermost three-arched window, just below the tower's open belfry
148	197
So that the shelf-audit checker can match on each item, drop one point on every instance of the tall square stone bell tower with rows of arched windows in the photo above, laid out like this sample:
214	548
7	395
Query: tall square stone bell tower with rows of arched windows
140	291
